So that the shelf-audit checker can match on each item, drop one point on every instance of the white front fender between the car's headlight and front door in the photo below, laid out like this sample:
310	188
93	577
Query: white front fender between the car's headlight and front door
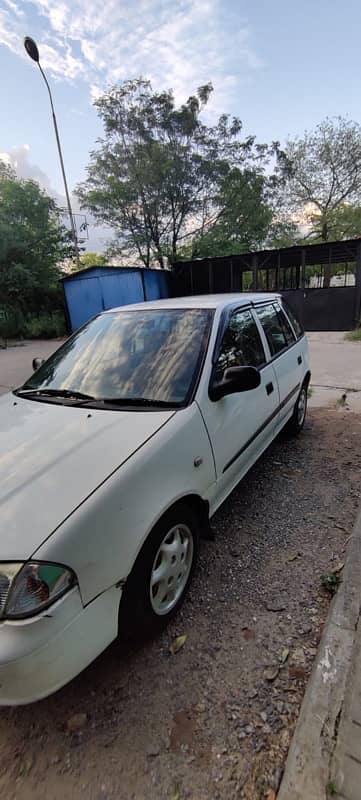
100	541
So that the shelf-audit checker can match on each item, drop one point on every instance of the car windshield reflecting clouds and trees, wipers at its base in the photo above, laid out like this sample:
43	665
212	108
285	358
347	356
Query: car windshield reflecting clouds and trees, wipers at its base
150	355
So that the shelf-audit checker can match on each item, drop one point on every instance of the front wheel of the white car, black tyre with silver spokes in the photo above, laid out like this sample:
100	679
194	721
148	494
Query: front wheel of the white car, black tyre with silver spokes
169	554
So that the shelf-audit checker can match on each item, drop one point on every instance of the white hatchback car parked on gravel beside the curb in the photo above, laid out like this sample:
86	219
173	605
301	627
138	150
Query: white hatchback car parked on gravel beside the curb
114	456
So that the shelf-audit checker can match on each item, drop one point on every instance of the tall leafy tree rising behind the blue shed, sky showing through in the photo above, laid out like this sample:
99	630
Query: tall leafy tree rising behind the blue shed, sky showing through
158	176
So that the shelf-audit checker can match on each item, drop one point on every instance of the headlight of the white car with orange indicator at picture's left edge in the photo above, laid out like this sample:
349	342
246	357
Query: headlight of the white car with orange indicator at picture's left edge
27	589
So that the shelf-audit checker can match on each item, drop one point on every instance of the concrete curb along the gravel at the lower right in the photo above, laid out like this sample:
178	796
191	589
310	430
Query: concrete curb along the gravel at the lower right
307	769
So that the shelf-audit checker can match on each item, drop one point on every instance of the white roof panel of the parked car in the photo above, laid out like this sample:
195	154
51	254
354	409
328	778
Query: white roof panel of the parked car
202	301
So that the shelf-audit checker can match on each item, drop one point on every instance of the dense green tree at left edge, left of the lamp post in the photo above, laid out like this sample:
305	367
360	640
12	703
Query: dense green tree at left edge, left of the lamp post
32	242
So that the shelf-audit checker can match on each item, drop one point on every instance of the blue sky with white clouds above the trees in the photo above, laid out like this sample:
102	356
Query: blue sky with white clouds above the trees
281	66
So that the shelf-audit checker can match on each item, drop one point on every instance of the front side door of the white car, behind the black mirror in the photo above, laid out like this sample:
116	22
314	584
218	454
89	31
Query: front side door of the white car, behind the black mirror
240	426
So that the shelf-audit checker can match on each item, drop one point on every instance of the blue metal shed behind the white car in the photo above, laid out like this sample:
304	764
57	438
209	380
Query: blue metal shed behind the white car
96	289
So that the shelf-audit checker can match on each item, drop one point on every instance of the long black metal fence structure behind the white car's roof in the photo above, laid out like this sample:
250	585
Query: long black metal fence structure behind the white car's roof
306	275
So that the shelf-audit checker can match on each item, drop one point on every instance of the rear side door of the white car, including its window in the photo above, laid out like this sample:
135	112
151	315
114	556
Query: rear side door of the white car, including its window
285	353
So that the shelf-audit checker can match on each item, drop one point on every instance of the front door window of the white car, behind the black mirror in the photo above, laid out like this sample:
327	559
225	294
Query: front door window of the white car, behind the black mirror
241	345
